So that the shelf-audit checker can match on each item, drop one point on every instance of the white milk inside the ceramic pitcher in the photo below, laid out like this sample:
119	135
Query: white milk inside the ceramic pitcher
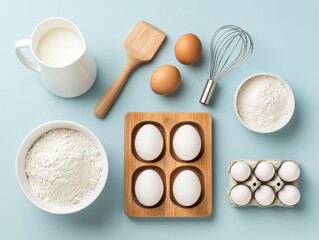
59	47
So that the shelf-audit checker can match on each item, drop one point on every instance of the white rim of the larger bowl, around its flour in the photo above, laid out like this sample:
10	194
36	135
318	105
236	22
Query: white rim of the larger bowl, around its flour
24	182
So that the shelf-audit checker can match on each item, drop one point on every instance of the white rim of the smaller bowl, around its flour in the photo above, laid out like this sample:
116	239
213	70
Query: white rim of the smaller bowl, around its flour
290	96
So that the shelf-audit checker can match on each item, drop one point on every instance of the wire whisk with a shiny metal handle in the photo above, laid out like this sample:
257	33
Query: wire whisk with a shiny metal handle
230	47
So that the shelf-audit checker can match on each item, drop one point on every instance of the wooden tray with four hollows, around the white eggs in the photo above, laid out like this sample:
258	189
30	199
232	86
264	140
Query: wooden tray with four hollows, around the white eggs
167	165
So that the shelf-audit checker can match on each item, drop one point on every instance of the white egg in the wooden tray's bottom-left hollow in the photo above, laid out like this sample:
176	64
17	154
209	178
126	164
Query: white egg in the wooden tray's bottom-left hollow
149	188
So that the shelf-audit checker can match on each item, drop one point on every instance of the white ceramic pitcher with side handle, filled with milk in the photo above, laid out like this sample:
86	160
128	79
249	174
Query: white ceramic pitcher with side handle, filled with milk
65	67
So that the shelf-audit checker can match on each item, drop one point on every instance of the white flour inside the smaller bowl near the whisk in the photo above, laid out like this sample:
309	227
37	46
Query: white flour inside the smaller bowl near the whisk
263	103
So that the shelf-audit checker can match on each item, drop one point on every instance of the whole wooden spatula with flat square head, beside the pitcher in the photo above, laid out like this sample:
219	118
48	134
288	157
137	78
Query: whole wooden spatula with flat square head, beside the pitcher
141	46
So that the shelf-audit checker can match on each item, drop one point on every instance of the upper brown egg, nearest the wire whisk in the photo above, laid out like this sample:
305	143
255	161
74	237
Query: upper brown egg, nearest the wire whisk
188	49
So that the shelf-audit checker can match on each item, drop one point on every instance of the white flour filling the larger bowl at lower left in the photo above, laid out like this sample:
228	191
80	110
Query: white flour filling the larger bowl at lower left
63	167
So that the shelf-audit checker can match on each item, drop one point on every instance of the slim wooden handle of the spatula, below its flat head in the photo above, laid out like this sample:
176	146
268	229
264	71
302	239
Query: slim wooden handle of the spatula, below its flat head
115	88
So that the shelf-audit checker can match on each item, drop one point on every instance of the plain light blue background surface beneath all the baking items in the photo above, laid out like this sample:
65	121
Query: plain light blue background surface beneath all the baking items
286	37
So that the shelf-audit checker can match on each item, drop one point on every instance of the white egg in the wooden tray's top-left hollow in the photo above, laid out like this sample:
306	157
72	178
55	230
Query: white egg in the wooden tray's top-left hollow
148	142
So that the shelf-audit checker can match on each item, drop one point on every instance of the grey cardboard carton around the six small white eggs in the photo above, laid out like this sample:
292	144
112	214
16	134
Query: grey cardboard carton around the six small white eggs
276	183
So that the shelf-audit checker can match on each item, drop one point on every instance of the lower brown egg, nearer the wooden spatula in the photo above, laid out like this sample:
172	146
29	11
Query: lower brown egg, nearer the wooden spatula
165	80
